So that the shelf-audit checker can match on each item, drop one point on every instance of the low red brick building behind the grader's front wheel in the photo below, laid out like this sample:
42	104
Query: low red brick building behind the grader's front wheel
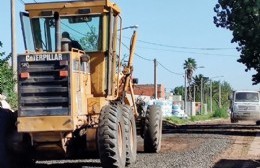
148	90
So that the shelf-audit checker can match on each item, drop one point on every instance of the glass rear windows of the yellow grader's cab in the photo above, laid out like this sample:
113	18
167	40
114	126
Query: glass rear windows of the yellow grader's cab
85	30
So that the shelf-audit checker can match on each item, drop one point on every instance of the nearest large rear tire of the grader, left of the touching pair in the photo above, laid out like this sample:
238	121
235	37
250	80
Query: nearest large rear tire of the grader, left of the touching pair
111	137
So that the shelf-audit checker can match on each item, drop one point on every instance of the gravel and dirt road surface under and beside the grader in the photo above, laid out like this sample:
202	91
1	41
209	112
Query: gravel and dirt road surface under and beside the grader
211	144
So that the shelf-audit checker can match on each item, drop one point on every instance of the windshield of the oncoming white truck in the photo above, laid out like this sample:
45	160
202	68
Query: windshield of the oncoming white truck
247	97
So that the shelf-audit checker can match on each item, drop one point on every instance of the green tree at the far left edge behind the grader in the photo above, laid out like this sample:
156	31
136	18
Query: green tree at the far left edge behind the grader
7	81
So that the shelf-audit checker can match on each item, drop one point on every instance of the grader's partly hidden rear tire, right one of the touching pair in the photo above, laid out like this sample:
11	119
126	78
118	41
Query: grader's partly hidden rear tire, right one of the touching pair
130	130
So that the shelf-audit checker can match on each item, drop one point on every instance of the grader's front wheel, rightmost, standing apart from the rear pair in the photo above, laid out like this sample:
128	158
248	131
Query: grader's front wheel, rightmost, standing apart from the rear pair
153	129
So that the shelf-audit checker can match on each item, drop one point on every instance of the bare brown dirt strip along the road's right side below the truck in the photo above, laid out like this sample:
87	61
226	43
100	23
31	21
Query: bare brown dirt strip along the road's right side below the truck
244	151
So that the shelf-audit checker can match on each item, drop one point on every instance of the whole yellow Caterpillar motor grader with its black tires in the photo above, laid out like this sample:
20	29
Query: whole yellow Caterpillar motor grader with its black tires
75	97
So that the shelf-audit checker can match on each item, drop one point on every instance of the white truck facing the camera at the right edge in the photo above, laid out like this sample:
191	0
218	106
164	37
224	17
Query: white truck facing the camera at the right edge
245	105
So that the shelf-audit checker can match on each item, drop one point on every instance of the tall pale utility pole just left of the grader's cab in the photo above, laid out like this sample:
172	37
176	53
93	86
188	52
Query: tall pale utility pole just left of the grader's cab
13	41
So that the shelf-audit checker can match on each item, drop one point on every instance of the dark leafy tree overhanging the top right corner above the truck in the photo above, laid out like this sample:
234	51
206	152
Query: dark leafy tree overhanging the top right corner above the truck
243	19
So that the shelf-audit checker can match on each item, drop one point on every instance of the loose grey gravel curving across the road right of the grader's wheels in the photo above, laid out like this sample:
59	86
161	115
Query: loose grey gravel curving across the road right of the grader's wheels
199	157
